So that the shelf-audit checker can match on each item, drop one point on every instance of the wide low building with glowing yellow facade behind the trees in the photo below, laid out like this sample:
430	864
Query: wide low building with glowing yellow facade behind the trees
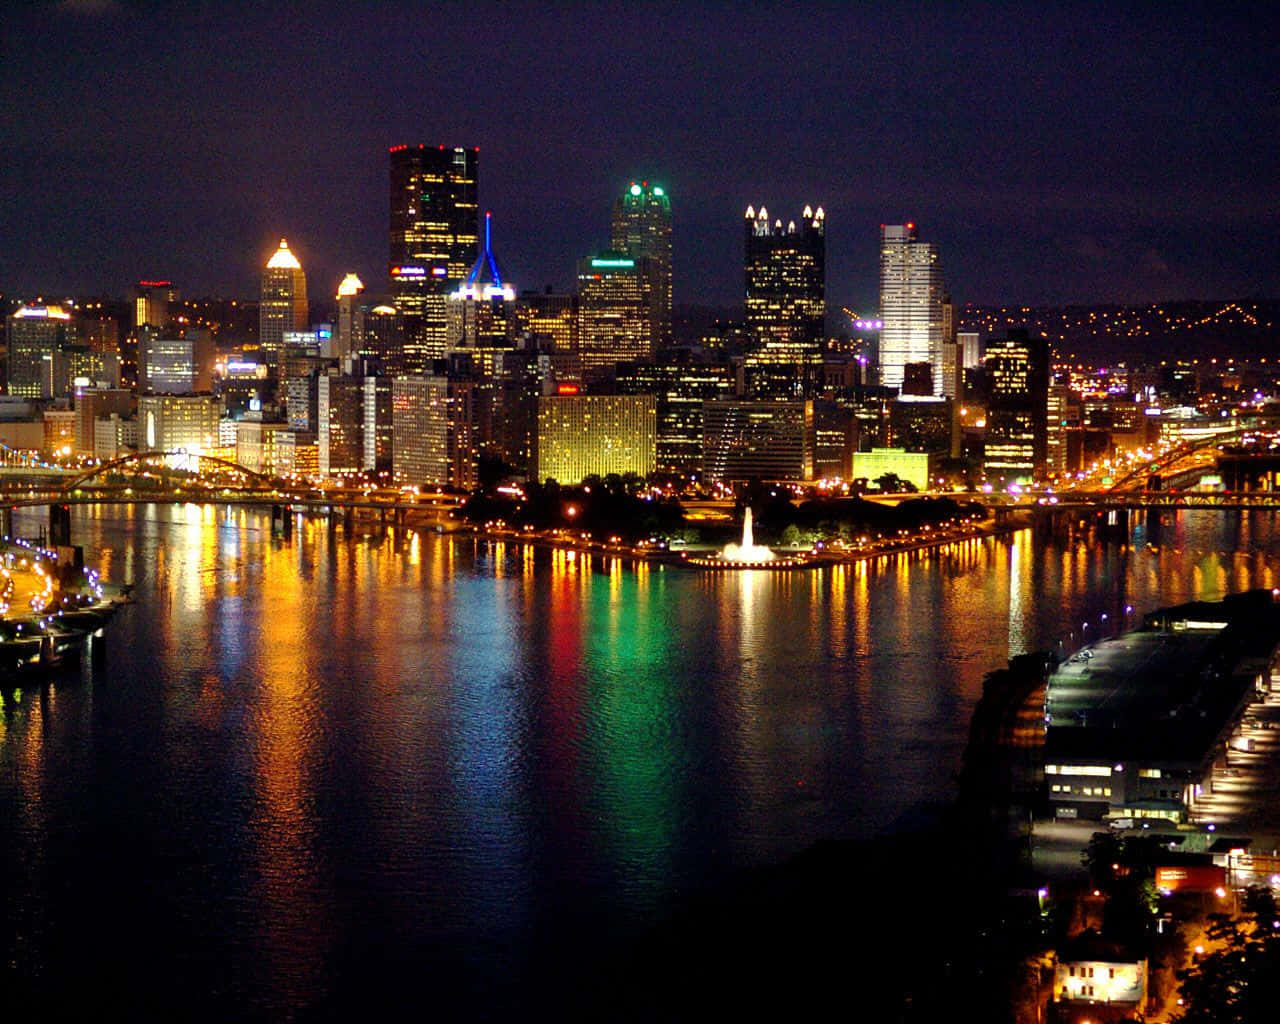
580	436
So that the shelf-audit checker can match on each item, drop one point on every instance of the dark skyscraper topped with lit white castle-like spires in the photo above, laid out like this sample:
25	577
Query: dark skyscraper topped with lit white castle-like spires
787	290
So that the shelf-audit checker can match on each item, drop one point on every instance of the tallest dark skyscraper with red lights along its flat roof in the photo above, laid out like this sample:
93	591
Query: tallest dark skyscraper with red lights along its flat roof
435	235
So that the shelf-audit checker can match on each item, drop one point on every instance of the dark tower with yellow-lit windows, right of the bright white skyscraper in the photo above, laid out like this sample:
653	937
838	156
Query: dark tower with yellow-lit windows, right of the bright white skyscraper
1017	445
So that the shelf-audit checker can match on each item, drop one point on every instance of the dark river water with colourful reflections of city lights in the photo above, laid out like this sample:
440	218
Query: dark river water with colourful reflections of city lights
326	775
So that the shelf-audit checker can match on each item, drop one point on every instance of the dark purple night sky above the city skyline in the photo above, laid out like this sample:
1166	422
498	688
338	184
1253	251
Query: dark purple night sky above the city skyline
1064	153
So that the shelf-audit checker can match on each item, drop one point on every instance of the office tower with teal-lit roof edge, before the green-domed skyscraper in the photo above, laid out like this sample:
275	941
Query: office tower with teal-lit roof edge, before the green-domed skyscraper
615	312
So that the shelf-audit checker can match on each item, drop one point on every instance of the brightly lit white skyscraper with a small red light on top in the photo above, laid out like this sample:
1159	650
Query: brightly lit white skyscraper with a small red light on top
911	305
